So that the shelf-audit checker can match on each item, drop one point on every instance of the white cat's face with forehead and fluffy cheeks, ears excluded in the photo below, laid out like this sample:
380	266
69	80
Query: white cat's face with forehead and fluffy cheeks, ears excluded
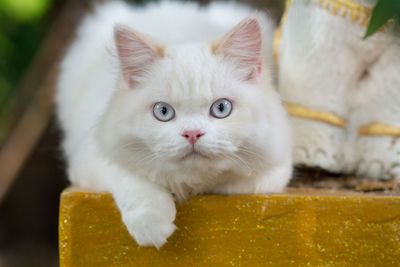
191	108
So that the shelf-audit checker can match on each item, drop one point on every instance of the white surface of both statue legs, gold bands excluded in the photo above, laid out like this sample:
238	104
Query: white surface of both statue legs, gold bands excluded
322	58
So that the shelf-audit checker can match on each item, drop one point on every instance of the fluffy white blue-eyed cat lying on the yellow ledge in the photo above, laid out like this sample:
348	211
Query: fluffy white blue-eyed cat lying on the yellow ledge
193	112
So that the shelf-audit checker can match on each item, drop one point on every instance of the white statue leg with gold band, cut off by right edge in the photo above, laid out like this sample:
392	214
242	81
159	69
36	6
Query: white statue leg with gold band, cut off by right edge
374	121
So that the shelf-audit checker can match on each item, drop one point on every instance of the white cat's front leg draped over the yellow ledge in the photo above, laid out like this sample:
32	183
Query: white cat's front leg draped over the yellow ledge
147	210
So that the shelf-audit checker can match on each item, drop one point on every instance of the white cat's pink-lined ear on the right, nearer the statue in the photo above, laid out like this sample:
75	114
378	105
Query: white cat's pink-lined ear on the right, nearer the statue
243	45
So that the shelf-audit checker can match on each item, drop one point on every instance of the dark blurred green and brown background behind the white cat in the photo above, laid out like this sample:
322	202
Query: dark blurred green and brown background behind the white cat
33	37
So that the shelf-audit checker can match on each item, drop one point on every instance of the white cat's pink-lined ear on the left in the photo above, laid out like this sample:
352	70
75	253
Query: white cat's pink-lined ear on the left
136	53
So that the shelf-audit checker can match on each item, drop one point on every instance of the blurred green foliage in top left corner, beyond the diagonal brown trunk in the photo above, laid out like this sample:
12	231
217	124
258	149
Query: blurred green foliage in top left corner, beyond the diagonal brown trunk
23	24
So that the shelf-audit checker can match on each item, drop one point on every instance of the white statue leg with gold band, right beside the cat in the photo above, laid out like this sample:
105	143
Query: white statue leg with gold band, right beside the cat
315	71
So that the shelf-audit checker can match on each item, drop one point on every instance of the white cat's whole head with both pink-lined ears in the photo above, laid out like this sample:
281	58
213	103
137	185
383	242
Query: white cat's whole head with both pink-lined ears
193	106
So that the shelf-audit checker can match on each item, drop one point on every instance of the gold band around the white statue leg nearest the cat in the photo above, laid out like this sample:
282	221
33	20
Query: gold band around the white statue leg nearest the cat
307	113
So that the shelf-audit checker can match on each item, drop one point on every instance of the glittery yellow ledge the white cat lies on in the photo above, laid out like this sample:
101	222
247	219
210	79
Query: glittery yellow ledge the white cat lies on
304	230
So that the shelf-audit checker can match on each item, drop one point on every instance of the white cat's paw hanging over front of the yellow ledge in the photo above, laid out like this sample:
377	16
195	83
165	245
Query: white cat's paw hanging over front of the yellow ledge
149	227
